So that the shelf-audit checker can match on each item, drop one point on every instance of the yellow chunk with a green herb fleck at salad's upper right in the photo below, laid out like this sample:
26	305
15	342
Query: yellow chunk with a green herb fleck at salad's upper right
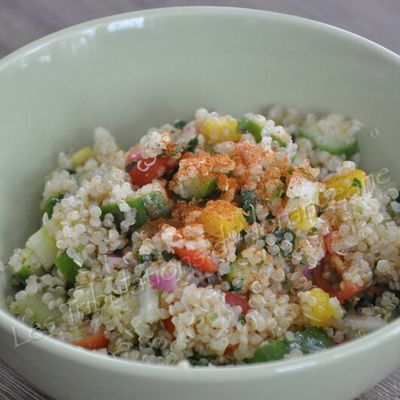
347	185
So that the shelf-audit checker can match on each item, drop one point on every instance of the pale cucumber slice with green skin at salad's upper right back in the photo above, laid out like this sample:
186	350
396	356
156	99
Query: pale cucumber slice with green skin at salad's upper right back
333	144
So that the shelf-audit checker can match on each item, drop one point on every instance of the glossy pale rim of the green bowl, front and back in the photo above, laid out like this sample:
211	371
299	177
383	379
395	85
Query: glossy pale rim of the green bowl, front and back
229	373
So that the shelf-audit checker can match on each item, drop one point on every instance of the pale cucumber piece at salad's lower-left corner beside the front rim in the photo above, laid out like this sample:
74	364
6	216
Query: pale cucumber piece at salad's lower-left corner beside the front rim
41	315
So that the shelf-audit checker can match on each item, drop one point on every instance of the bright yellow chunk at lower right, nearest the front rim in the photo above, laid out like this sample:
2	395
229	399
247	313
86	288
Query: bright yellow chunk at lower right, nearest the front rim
317	309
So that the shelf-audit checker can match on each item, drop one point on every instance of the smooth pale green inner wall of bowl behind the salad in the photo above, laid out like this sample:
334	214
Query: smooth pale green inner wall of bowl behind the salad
130	72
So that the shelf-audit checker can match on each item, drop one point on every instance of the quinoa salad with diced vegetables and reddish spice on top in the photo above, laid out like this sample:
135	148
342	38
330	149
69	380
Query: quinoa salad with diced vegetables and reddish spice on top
214	241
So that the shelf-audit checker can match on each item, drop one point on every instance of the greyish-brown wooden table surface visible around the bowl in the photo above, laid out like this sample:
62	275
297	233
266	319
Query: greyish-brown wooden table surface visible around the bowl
22	21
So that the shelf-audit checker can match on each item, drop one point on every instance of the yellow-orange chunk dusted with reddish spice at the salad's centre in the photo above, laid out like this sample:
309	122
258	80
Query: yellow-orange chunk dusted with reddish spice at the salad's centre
220	218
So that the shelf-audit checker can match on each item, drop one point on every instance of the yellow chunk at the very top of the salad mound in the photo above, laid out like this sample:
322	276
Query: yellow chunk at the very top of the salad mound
220	129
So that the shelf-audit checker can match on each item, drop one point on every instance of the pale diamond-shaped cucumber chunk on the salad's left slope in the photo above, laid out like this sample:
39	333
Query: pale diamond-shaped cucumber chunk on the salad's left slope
43	245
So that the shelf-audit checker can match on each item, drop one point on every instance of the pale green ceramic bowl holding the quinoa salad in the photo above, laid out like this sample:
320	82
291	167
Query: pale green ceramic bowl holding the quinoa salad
133	71
